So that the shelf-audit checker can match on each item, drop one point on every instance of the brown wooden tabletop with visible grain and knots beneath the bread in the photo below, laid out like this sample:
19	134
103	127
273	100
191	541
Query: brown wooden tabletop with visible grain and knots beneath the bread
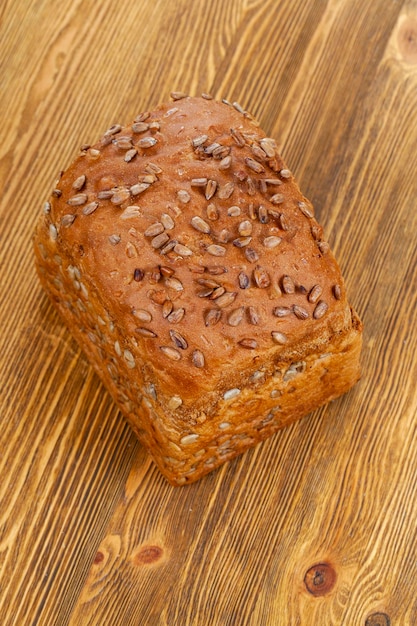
318	525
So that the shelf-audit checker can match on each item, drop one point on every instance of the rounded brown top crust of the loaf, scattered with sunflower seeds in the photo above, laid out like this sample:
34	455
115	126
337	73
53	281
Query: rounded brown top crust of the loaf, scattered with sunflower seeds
198	242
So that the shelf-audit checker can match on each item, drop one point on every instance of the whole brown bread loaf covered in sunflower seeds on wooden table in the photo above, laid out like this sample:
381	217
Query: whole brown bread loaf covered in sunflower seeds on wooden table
185	261
